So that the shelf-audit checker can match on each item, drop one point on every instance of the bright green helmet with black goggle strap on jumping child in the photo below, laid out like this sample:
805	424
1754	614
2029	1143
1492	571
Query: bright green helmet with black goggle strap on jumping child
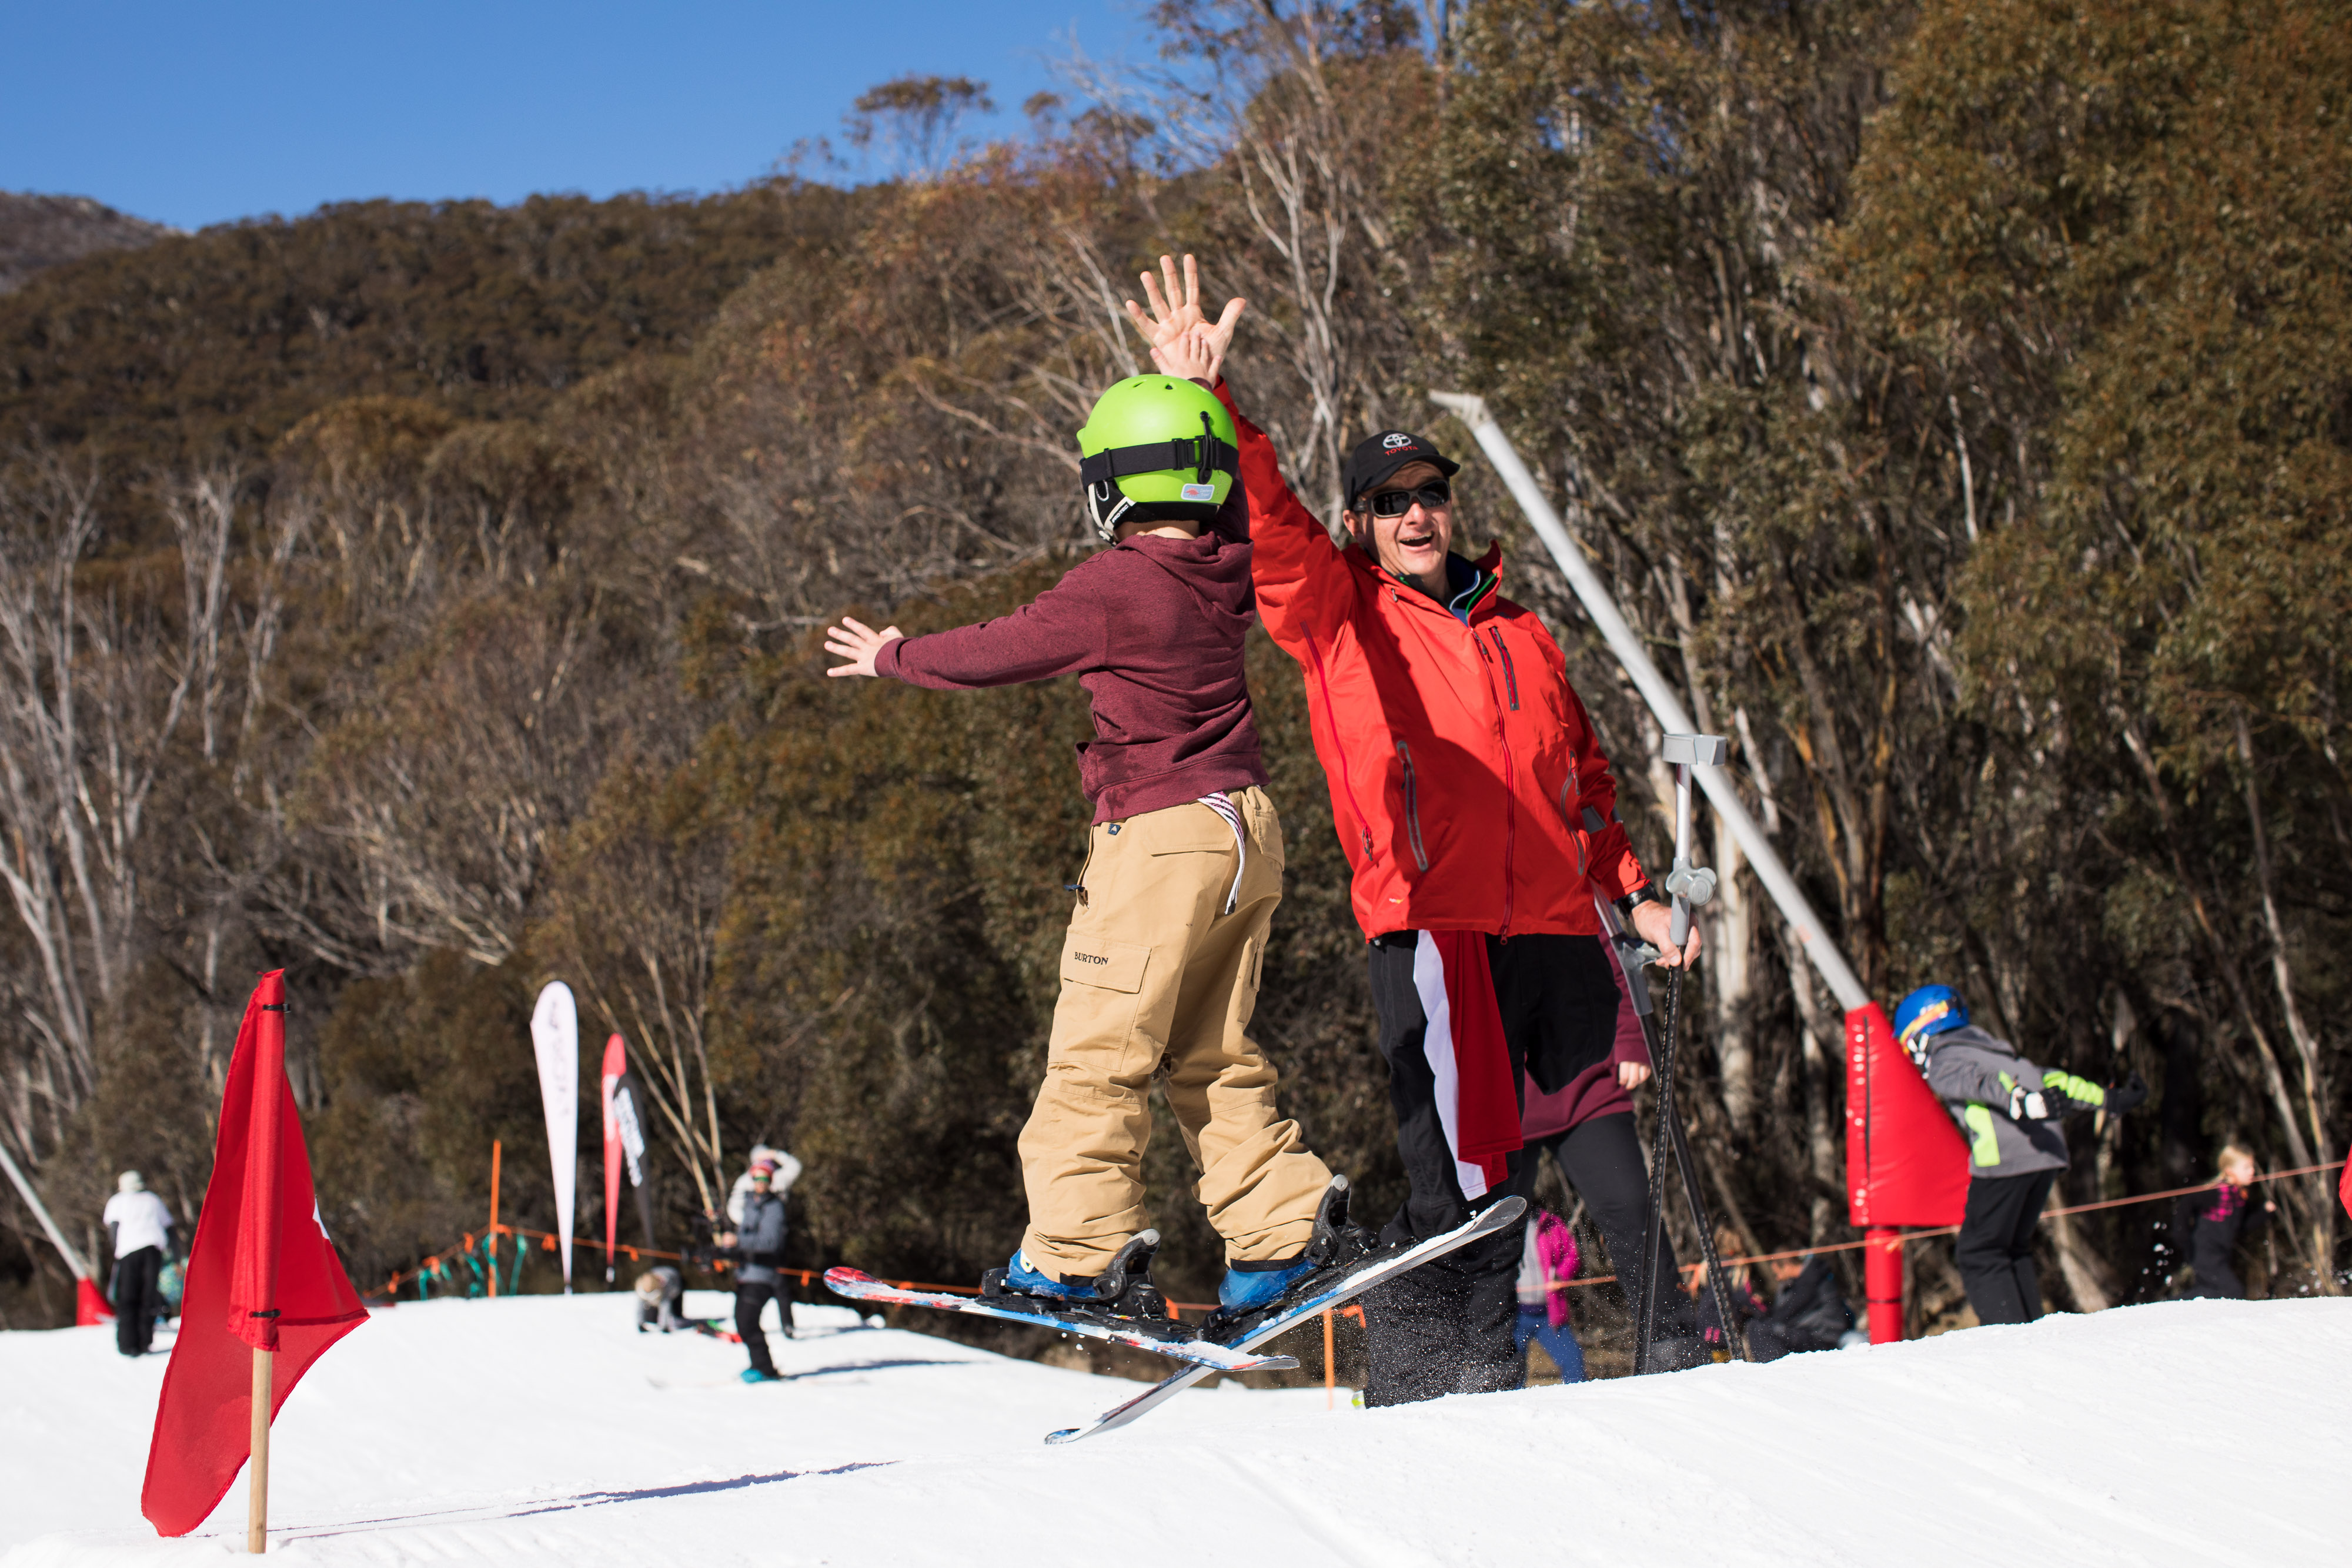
1158	448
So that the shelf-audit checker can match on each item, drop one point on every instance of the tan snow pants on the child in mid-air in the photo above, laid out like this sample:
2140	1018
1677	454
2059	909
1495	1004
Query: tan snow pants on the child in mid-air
1158	981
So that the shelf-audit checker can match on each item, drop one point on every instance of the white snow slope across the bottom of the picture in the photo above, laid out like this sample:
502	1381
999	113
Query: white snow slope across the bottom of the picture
544	1430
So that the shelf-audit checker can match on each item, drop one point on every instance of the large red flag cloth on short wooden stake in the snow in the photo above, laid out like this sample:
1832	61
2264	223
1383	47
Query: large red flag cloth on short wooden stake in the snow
262	1275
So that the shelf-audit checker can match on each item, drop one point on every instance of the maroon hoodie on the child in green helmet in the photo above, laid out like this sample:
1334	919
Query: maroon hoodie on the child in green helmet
1154	631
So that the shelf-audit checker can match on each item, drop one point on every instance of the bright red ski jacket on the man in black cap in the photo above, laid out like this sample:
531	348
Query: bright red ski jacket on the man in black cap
1459	758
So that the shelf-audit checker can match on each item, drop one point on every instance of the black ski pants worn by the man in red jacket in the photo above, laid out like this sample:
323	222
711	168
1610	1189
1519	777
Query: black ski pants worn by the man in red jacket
1448	1327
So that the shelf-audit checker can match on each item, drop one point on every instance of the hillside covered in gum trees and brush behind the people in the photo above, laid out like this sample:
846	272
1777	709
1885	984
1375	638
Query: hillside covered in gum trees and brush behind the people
425	601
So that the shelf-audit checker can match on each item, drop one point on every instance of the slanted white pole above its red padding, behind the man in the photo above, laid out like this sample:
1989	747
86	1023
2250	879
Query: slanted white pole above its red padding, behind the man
1662	699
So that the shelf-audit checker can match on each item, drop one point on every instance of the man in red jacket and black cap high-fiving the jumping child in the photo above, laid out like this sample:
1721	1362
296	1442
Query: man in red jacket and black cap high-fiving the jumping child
1462	775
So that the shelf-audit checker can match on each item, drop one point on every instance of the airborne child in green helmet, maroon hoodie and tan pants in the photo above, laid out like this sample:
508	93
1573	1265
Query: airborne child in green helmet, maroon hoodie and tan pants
1184	862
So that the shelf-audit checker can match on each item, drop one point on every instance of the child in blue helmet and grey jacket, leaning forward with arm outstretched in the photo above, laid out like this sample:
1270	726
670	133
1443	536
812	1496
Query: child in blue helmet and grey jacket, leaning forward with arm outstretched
2010	1111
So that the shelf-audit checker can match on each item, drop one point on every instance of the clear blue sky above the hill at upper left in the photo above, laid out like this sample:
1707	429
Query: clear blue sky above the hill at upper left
201	114
